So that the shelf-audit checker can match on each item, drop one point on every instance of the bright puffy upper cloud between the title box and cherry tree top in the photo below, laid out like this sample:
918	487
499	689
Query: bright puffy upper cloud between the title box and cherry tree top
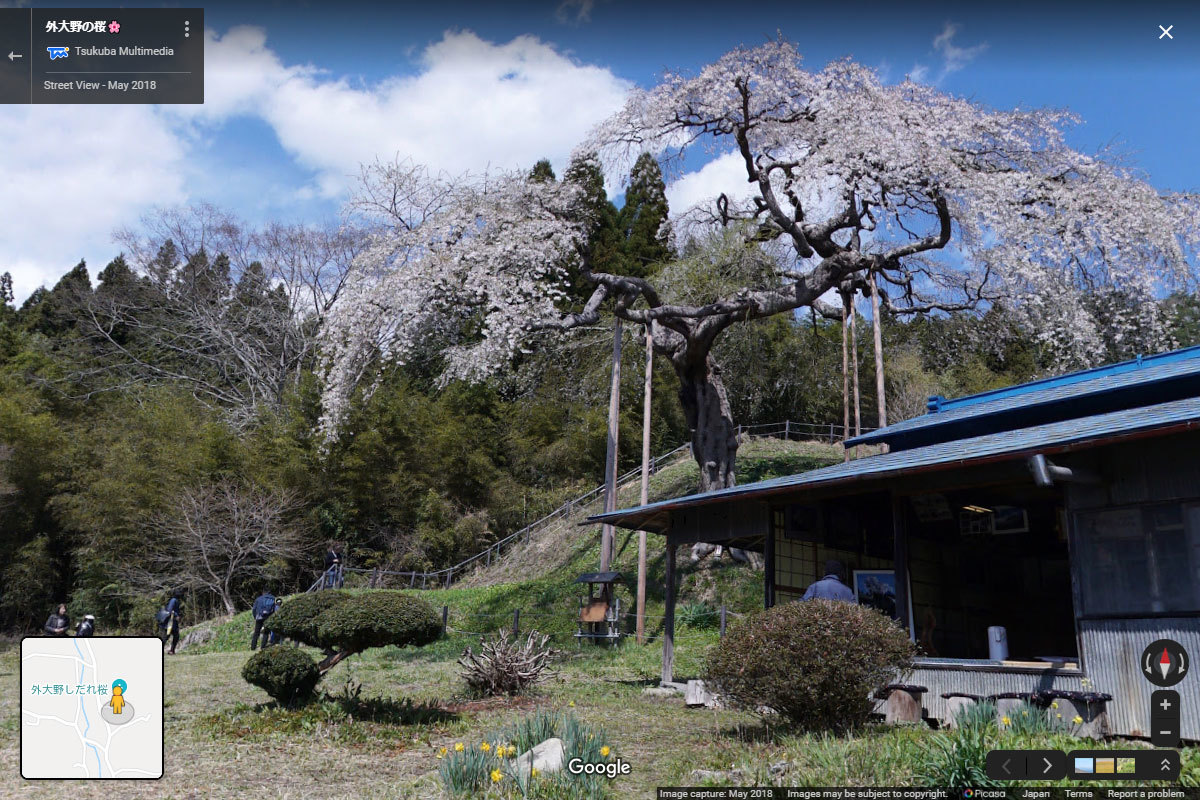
475	105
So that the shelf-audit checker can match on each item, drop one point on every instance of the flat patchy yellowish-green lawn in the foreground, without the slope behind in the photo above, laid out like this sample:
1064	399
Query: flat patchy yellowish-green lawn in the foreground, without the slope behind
225	739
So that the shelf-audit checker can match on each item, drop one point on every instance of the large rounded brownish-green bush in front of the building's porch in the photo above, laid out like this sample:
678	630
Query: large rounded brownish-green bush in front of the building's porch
815	664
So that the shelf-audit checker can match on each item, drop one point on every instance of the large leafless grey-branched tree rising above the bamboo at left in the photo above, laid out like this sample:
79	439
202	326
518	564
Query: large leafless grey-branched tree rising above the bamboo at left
229	312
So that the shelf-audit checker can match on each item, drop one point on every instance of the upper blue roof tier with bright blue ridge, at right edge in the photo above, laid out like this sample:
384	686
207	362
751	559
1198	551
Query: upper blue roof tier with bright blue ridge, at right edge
1129	384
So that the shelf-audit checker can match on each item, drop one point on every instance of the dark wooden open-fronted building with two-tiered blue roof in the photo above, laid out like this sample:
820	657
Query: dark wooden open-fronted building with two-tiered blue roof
1066	512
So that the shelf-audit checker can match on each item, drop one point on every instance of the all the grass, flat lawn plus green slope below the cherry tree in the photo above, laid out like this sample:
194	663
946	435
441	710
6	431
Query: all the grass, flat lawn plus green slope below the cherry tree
226	739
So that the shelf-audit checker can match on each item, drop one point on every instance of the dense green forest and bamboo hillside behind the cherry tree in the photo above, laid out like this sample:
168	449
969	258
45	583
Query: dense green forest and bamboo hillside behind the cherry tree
176	396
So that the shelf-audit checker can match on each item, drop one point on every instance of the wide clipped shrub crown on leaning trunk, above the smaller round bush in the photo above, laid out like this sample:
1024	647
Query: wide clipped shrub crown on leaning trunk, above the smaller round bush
376	619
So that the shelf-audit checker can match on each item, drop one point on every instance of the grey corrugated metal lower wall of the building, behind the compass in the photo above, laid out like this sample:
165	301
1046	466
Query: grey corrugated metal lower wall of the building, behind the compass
1112	651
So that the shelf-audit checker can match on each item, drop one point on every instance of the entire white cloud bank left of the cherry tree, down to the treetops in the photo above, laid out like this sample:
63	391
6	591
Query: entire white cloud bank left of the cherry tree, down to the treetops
75	173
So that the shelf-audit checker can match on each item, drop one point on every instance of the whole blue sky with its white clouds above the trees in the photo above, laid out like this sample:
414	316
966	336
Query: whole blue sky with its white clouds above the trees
301	94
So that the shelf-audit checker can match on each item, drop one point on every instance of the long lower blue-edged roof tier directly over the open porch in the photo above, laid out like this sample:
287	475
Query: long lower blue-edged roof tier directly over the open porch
1007	444
